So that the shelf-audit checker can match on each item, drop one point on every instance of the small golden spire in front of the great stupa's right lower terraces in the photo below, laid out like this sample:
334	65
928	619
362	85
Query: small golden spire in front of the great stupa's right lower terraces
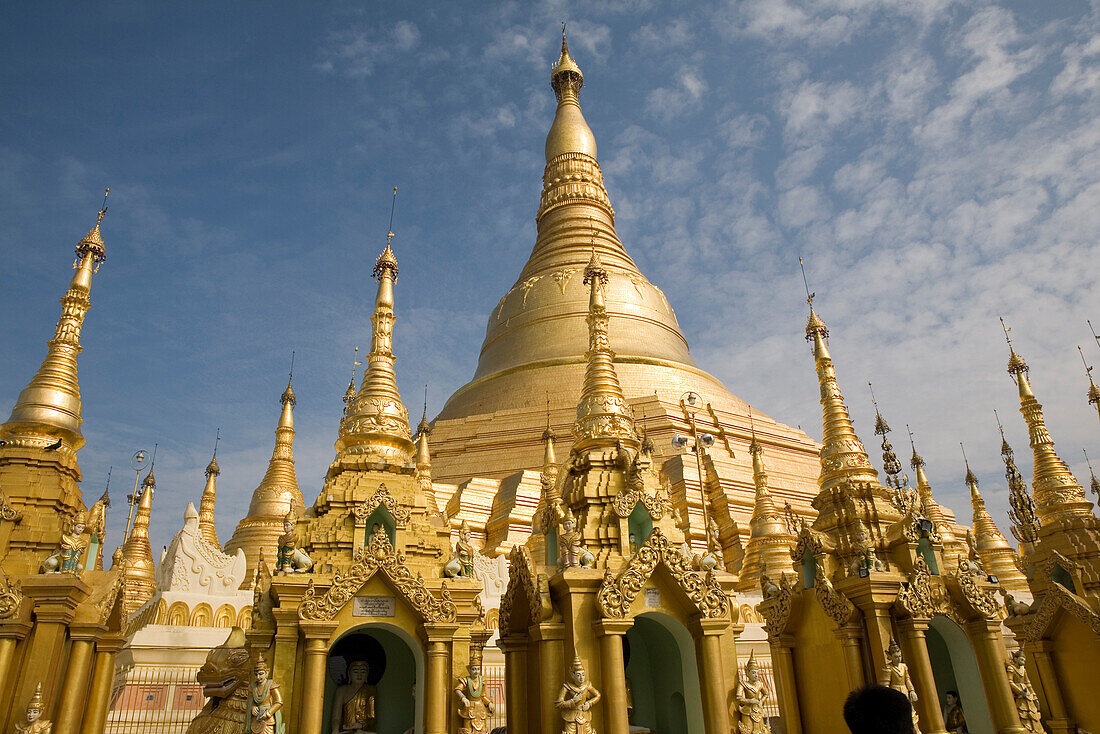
771	541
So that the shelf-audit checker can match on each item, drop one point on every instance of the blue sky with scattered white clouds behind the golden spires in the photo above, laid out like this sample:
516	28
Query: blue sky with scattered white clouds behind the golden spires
938	165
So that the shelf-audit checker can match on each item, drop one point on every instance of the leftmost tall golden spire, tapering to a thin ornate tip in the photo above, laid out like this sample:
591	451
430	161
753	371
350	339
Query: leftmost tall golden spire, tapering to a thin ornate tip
49	409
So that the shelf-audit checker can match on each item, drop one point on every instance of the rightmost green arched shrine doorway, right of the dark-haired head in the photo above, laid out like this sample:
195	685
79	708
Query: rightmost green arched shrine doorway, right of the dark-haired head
955	669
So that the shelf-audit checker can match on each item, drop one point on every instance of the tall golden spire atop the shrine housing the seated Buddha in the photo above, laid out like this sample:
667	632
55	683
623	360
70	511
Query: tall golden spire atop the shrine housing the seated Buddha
378	422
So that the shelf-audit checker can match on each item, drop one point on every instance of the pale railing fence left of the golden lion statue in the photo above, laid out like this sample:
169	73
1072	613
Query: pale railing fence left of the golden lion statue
149	700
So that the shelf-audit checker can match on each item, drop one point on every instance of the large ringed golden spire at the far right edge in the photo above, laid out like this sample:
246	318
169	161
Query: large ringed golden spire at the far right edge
1058	494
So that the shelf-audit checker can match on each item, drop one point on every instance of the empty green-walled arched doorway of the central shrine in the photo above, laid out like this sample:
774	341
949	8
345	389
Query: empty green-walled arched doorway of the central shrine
663	677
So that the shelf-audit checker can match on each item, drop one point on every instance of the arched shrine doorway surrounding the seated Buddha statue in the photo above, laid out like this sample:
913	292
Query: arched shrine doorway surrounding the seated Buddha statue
395	672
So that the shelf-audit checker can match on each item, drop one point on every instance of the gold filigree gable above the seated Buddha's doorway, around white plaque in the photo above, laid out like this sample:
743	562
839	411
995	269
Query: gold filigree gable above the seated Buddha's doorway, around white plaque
378	556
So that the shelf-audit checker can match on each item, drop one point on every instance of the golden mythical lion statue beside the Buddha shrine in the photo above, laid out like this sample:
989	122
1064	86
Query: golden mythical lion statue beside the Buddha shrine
225	680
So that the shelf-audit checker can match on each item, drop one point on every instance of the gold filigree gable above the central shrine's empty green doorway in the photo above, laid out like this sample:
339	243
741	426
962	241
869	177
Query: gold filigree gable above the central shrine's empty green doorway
618	594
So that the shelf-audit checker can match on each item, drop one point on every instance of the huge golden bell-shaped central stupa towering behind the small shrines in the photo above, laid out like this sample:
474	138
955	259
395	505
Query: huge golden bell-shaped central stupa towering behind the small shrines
535	352
